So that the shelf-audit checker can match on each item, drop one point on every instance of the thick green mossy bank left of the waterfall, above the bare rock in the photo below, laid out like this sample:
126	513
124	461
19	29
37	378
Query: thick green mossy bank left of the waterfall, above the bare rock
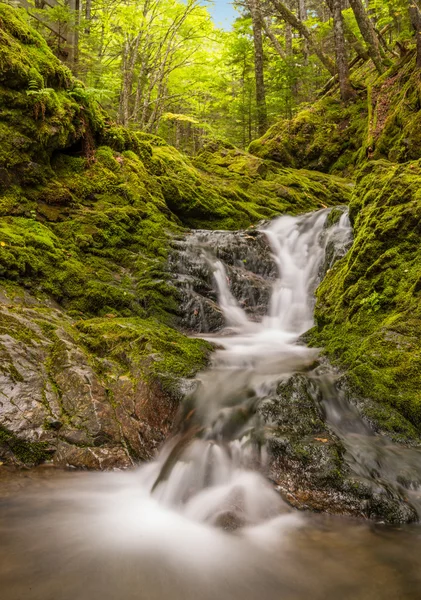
88	206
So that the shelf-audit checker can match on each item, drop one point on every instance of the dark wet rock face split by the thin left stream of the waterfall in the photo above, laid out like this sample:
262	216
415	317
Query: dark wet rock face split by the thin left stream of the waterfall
249	269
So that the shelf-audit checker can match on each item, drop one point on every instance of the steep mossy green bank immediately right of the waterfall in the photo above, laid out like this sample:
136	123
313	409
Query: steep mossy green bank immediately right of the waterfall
369	305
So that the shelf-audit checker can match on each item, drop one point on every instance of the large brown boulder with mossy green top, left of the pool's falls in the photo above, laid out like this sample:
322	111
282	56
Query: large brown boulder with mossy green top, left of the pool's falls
95	393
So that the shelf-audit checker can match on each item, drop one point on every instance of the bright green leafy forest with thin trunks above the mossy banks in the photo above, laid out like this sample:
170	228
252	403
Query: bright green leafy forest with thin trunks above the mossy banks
165	68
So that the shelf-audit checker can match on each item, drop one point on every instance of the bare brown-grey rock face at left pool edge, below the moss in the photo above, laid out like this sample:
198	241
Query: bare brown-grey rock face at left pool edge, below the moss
58	403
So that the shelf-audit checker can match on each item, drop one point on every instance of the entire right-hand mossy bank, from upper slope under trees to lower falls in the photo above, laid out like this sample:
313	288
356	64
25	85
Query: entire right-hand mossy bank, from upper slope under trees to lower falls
368	307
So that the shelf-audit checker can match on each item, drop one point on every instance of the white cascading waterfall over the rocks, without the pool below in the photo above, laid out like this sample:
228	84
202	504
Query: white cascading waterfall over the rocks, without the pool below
210	469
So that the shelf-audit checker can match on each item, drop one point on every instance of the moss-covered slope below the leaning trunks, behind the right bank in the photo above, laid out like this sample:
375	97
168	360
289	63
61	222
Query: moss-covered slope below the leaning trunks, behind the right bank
384	121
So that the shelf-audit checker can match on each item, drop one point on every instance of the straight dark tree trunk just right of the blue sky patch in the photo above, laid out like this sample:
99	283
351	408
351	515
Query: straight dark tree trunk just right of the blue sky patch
259	68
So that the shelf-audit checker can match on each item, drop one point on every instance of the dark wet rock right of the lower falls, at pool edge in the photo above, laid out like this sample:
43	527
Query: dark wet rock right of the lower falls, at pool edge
315	464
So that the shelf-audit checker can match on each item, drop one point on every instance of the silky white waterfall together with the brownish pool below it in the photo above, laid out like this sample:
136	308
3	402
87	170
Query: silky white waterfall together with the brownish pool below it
201	521
